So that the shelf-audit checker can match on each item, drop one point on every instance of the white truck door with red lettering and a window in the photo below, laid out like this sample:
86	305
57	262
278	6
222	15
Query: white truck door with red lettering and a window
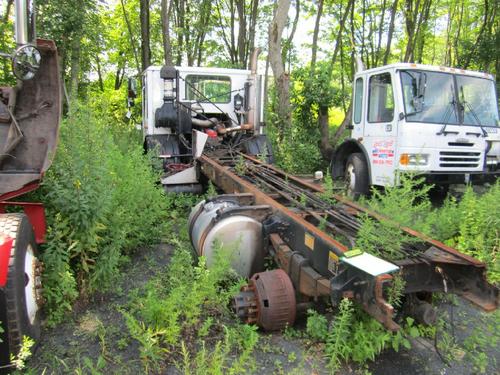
380	128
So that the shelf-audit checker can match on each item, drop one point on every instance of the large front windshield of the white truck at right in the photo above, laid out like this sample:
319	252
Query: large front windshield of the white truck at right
438	102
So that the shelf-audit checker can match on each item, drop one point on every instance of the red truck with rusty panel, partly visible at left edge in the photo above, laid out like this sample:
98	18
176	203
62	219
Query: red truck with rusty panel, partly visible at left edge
29	121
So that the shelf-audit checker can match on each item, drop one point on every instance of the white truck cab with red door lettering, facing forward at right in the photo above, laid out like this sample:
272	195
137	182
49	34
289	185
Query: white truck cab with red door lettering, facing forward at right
437	121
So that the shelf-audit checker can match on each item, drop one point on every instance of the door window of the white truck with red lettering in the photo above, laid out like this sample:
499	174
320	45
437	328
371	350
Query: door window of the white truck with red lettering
380	98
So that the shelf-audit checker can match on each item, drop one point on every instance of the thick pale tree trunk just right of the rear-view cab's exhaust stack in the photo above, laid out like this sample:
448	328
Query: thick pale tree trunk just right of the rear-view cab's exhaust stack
281	78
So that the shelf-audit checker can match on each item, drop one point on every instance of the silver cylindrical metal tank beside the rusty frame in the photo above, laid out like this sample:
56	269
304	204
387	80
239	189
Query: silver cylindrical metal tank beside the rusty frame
239	235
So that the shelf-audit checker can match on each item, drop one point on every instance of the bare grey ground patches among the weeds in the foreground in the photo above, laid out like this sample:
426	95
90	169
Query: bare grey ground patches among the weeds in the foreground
95	339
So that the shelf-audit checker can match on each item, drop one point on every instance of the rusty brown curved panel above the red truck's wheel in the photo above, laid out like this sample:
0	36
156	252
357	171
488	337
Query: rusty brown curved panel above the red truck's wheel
35	117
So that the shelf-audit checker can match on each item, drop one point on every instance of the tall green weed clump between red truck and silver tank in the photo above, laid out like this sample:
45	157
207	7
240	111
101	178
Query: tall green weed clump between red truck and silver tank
91	228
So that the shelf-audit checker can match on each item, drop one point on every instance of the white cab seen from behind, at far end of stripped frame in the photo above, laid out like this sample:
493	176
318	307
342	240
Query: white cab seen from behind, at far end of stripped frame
185	107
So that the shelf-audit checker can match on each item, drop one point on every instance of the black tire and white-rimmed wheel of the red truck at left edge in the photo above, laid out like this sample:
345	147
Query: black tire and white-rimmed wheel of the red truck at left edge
20	299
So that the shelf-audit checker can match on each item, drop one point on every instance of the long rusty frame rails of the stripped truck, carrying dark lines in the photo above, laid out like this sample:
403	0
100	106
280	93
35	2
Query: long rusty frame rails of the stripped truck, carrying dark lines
310	236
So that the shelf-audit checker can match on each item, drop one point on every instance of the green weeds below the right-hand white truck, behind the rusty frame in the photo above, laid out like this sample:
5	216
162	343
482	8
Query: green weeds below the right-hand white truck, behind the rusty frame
469	224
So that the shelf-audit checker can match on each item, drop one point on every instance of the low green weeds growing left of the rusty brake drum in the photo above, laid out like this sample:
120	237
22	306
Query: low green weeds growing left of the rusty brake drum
170	318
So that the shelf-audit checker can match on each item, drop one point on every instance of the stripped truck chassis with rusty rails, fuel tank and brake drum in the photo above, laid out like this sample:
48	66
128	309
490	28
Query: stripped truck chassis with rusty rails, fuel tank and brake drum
298	230
